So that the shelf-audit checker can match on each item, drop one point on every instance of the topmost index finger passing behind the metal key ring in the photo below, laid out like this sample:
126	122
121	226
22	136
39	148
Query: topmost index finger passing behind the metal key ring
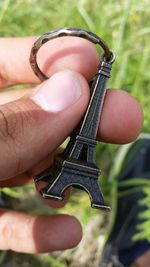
72	53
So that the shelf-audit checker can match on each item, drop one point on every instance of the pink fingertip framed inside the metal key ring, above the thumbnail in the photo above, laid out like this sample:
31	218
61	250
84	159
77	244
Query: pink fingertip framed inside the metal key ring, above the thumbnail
77	54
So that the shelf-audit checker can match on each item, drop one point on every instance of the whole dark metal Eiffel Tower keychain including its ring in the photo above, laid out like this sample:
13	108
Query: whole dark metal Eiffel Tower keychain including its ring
76	165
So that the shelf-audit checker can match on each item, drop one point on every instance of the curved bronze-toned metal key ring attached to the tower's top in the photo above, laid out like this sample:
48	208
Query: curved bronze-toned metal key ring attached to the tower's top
108	56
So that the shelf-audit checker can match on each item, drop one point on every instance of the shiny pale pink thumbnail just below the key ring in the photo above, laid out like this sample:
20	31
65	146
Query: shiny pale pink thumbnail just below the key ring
58	92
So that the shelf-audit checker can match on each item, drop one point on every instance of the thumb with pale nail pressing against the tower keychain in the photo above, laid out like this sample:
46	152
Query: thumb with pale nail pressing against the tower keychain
35	125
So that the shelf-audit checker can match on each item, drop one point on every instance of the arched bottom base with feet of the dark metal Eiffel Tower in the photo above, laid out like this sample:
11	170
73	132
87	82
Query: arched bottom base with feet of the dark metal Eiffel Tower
63	181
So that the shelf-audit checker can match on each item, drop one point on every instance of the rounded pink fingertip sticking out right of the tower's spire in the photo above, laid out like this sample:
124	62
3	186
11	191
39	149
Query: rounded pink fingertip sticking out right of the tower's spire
122	118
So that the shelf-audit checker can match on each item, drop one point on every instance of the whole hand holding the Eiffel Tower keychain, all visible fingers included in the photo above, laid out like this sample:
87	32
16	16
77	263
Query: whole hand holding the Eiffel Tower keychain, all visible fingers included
34	122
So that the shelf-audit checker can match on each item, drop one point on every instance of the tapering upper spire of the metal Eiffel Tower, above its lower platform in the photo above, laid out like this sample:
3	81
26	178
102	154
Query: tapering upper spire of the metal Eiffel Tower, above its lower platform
87	130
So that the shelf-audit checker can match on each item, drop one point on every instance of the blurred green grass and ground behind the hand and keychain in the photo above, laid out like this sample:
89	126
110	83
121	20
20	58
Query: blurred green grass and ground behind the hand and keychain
125	26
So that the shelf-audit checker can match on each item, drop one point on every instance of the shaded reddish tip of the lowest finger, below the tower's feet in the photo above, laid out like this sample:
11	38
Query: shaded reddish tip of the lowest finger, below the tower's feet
58	232
